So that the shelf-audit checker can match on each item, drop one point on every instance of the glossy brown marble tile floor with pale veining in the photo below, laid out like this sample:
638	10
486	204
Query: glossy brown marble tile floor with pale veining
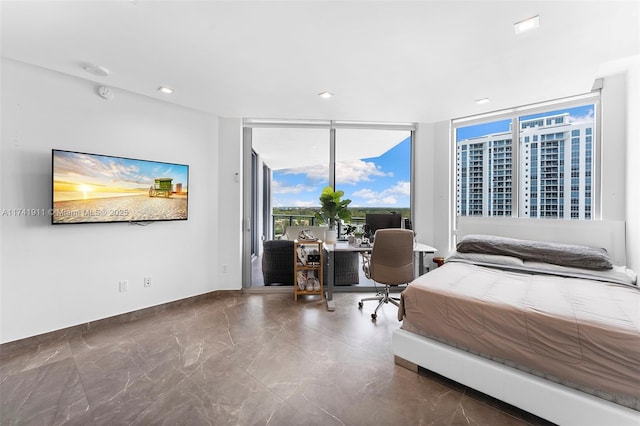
250	359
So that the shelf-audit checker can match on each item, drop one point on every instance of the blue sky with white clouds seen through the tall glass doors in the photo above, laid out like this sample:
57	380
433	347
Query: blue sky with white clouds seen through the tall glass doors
368	182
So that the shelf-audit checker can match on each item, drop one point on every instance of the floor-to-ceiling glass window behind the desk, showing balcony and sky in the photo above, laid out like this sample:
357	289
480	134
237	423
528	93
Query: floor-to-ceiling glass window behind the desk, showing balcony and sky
370	163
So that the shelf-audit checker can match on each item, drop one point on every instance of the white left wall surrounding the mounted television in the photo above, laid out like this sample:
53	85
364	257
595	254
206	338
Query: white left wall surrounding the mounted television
58	276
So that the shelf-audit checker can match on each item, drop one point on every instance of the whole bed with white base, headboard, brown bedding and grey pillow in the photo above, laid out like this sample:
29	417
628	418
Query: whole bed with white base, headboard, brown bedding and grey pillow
551	328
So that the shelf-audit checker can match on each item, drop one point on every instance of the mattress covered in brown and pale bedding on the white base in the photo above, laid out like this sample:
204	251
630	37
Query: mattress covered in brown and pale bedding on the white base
581	332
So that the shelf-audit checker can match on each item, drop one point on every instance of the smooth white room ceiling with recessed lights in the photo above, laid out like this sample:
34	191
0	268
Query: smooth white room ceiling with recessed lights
420	61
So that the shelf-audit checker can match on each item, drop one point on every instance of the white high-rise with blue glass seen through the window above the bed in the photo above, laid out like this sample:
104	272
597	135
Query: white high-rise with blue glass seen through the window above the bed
555	171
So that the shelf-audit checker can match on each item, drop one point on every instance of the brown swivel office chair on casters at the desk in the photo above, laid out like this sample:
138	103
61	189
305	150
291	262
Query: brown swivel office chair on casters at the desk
390	263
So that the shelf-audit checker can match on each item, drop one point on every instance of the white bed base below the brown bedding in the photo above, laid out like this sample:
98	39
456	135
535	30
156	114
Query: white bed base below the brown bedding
546	399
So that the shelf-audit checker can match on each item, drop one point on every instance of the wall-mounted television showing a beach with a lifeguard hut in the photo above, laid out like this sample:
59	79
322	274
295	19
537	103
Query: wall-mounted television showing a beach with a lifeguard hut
95	188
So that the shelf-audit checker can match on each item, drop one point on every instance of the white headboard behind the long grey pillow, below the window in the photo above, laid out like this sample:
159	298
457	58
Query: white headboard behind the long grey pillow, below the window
606	234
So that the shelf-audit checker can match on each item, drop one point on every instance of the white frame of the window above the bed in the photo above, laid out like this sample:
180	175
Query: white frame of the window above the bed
514	115
